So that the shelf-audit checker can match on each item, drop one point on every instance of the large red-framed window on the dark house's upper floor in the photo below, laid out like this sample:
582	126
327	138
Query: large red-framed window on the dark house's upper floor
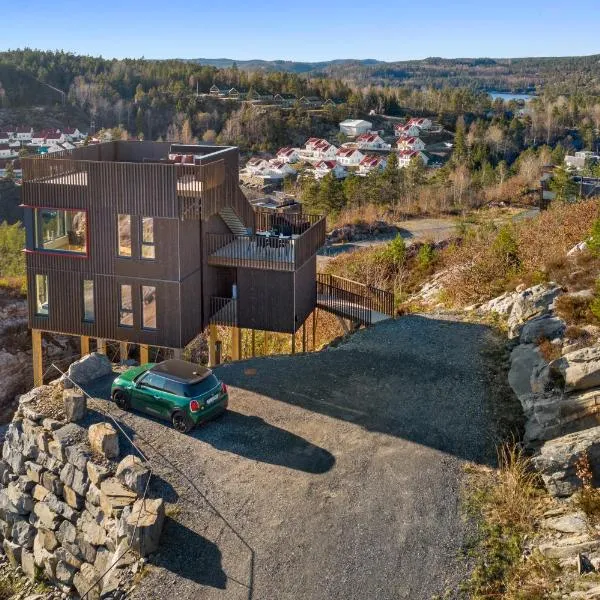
61	230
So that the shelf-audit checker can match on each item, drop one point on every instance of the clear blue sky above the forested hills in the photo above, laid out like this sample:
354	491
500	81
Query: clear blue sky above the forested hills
307	30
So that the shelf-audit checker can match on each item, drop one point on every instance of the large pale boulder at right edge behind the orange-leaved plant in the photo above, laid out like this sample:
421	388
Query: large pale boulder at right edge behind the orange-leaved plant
557	459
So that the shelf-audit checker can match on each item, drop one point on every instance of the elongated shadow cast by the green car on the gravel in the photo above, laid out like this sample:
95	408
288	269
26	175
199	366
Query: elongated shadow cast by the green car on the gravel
254	438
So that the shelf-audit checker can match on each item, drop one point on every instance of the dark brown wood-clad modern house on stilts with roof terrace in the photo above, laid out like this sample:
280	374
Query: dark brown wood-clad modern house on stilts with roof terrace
162	264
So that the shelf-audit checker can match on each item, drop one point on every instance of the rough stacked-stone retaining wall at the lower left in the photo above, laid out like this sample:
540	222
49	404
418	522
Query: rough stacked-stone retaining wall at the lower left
69	508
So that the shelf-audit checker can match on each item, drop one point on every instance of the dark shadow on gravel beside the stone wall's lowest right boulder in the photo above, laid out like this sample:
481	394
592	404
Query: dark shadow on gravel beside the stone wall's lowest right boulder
191	556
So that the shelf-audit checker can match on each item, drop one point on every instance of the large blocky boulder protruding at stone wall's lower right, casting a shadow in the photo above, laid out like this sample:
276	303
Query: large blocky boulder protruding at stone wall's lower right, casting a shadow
143	525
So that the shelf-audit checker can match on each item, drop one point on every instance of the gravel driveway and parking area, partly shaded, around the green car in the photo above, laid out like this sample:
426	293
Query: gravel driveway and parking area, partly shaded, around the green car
334	475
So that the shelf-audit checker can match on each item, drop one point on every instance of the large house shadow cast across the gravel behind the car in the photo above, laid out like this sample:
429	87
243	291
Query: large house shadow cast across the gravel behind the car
416	378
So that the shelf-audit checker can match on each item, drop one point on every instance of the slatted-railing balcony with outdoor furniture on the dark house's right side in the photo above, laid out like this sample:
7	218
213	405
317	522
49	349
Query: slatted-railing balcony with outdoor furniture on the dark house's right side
281	243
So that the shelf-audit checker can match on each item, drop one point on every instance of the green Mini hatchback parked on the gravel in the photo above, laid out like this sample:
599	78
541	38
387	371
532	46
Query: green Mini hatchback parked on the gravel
182	392
